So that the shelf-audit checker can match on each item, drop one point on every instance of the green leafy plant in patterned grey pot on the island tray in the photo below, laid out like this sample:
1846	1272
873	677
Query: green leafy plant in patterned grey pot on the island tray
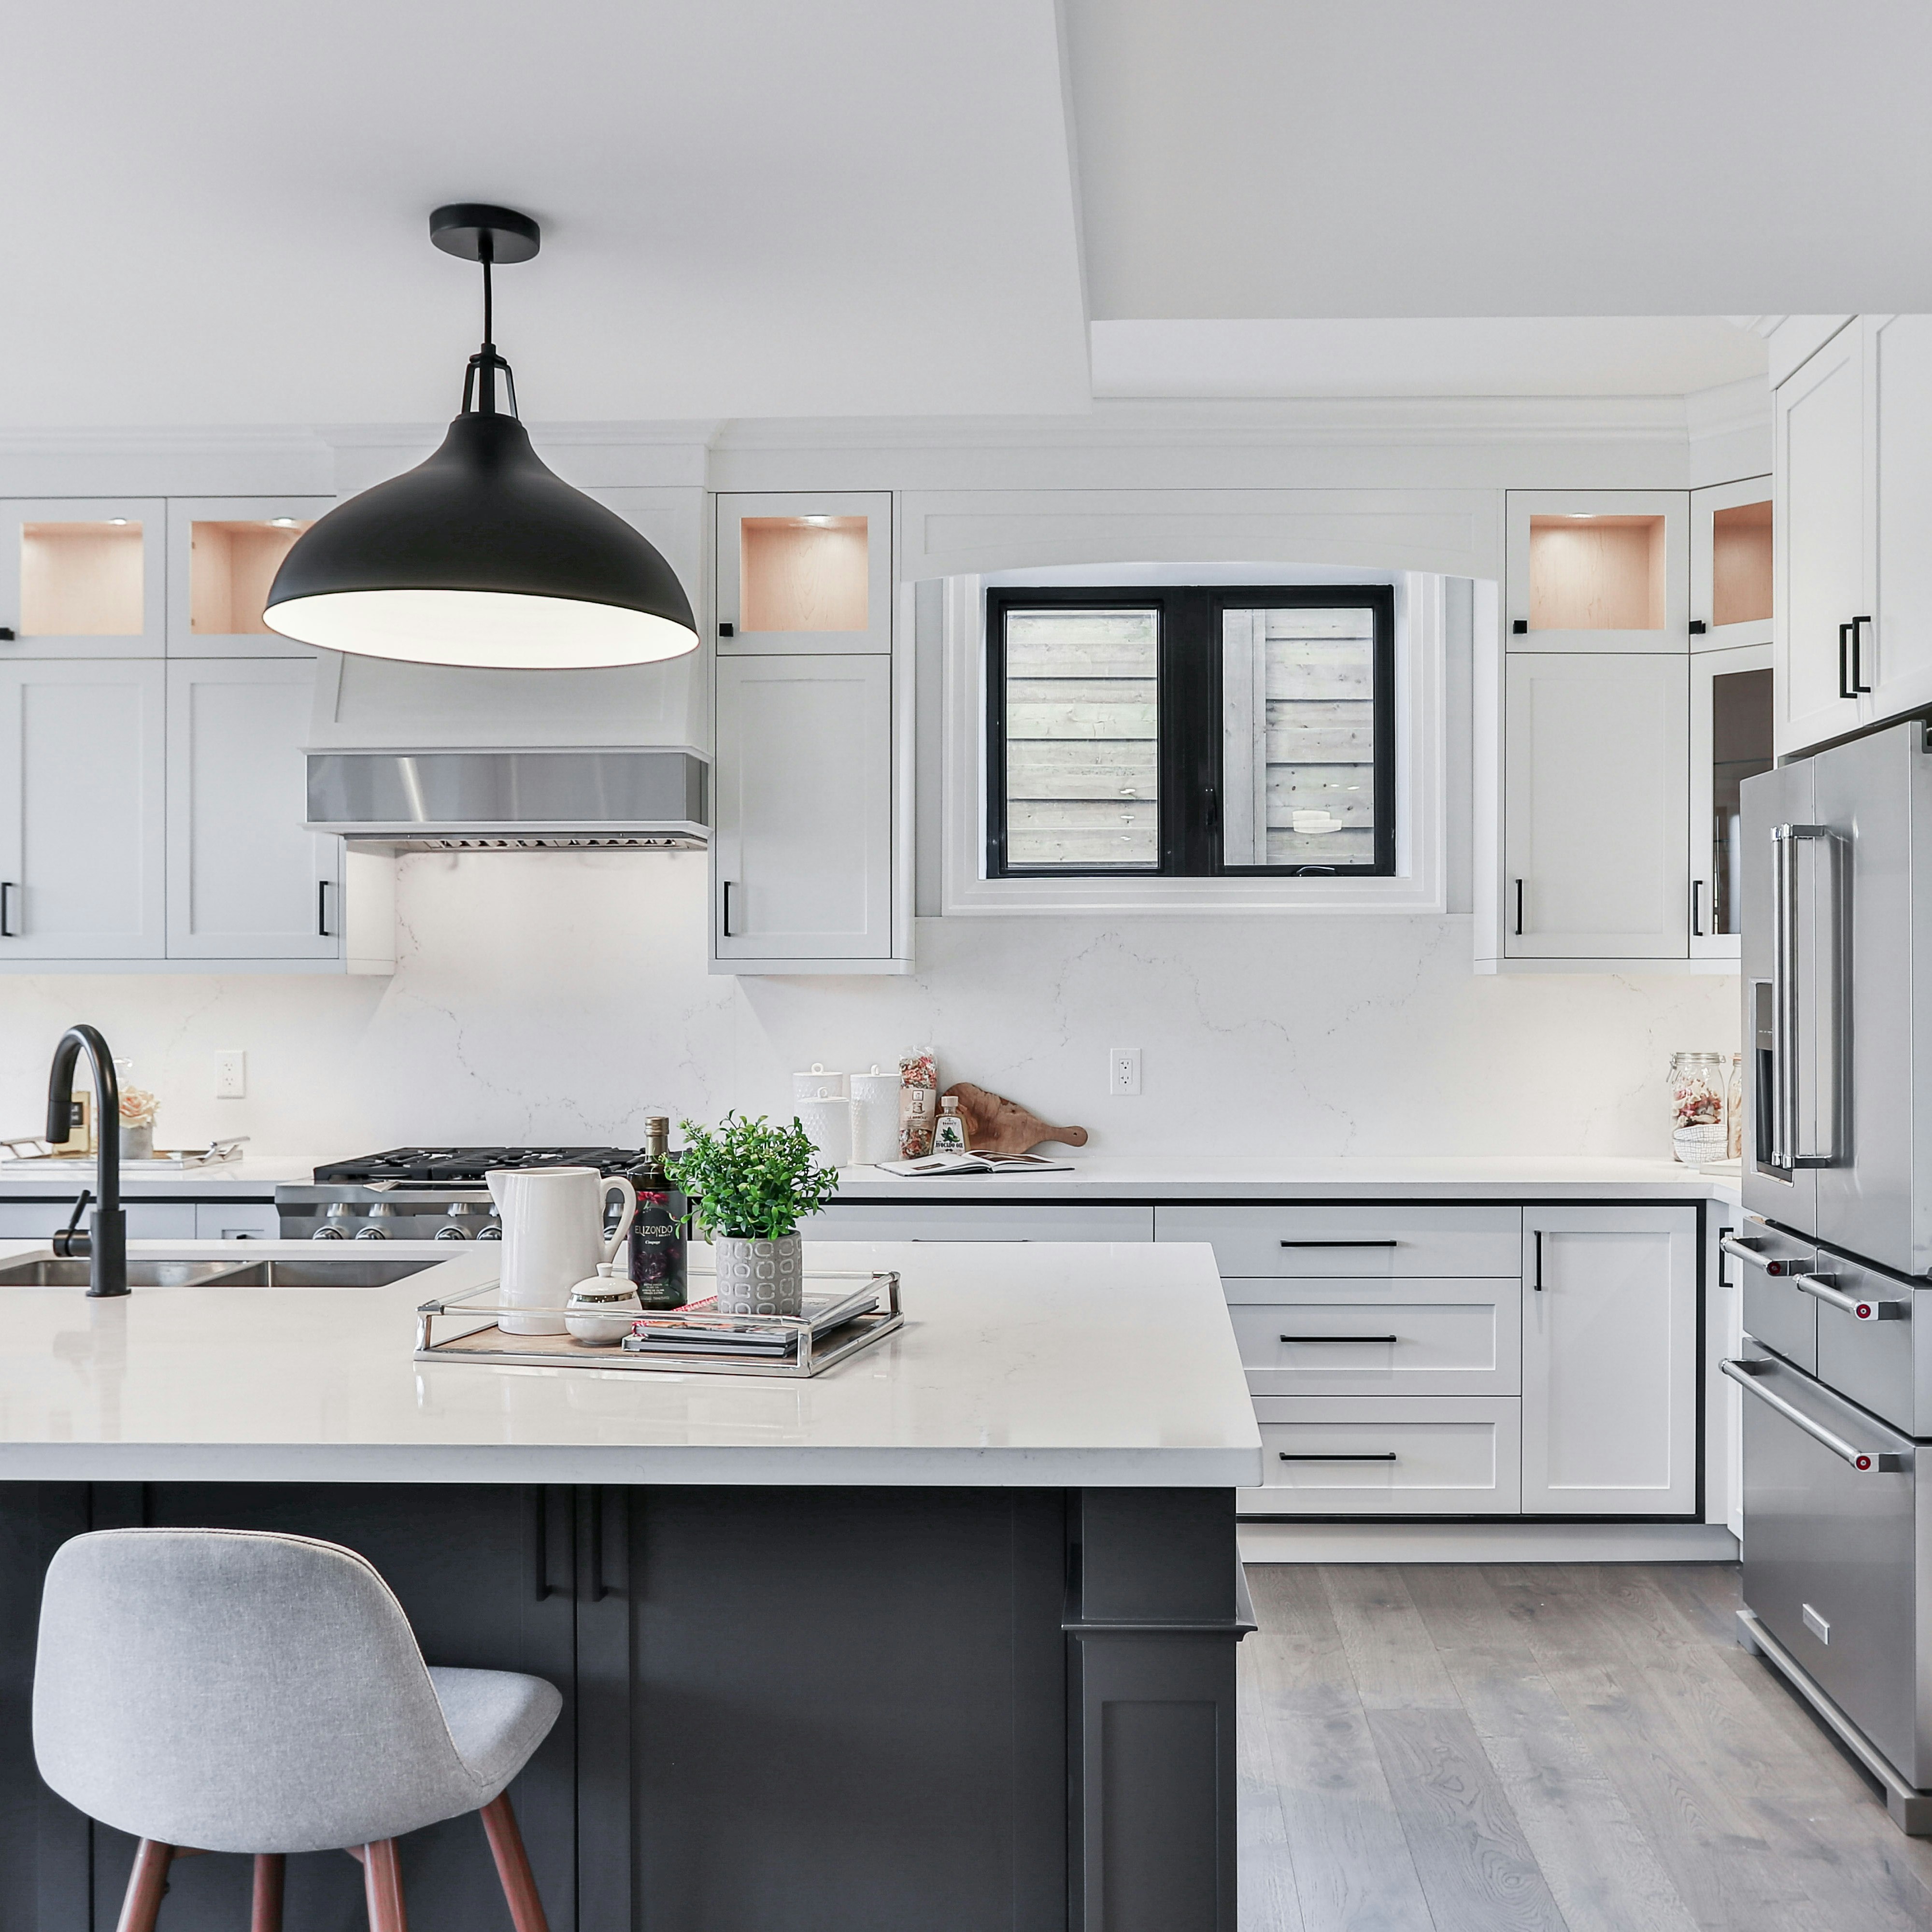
751	1183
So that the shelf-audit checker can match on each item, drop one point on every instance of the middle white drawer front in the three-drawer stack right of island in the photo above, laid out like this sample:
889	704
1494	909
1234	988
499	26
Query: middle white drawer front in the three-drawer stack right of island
1380	1338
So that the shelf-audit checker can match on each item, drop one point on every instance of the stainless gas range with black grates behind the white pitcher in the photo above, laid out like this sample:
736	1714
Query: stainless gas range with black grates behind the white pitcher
420	1193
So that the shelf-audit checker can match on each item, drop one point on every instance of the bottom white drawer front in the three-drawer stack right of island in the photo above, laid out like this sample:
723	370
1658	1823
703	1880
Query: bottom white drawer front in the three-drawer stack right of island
1446	1456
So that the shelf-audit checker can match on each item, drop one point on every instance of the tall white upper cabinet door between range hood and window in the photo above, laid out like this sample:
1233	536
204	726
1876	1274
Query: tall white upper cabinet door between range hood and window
803	836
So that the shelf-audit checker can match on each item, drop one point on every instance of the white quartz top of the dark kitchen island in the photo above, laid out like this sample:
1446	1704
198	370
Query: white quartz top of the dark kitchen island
1019	1365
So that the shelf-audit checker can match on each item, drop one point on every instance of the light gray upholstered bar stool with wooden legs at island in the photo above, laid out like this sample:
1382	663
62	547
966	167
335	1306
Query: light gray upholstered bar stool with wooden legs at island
231	1691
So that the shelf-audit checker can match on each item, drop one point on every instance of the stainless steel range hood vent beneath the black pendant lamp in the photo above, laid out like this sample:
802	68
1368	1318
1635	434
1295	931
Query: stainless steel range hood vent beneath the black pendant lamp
513	801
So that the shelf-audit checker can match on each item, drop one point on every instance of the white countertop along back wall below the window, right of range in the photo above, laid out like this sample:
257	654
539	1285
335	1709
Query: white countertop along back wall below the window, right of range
1338	1178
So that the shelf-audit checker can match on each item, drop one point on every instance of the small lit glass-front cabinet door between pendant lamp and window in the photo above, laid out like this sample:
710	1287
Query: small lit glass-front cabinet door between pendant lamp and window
805	573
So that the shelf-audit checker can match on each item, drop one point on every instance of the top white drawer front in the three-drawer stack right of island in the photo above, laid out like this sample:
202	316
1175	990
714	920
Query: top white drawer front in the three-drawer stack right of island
1353	1241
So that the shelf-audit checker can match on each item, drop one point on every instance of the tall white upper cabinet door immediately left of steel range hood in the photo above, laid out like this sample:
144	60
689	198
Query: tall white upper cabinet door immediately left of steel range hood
244	878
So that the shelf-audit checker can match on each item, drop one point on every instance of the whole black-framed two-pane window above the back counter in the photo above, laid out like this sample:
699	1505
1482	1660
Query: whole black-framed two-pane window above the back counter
1191	731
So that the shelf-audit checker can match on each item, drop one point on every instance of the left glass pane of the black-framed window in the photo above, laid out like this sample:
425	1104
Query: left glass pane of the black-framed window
1083	733
